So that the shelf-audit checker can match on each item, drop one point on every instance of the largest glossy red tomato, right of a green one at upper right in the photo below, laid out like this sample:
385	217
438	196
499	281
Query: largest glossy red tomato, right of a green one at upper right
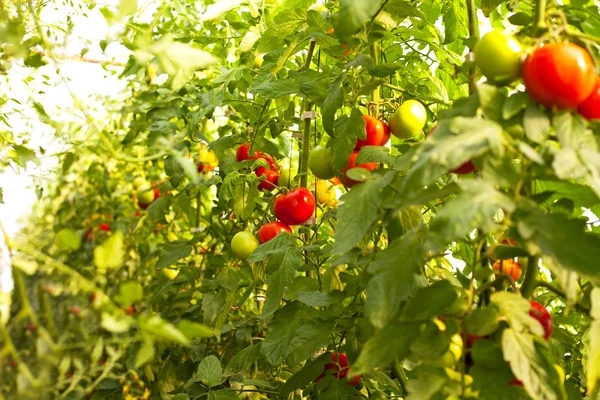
559	75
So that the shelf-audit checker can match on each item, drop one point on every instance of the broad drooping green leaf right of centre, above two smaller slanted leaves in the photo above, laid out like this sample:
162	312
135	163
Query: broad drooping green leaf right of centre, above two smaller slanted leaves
396	274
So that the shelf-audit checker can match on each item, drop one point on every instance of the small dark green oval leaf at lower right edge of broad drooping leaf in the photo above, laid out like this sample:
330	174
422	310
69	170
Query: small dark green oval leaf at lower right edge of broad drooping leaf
429	302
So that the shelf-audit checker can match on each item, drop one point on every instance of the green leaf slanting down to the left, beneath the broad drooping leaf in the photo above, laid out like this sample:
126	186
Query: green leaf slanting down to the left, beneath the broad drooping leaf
391	343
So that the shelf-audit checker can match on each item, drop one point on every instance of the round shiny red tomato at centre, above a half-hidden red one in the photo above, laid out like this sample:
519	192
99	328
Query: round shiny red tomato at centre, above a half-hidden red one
295	207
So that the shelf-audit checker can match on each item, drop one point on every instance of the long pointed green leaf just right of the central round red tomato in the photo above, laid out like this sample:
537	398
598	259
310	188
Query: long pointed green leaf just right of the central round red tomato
359	213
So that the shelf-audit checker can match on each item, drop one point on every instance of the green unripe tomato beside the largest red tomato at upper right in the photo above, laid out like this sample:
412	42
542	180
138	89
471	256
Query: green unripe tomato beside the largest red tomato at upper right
498	56
